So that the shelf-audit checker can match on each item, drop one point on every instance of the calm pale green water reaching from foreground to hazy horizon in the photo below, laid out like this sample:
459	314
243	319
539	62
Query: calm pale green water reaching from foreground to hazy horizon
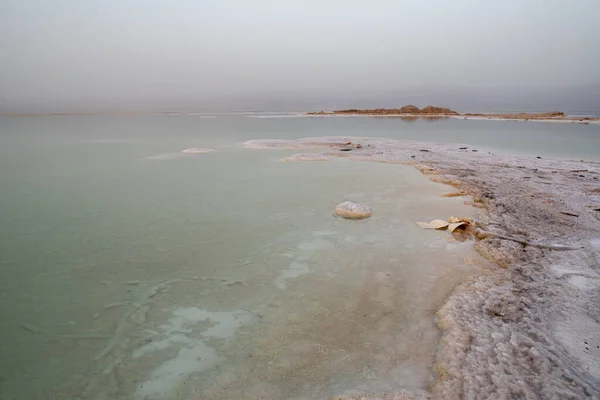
131	270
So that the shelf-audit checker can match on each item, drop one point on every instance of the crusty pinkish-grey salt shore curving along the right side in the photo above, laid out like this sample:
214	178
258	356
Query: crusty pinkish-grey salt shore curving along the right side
531	327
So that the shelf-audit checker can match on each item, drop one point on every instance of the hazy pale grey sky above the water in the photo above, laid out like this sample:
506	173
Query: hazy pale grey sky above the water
131	51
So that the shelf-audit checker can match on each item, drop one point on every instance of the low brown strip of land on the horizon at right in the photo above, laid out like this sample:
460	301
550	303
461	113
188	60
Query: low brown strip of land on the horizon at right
411	111
